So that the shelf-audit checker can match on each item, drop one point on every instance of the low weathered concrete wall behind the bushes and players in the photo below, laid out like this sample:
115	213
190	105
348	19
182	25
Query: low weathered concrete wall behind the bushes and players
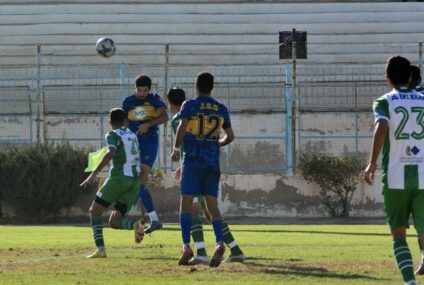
272	196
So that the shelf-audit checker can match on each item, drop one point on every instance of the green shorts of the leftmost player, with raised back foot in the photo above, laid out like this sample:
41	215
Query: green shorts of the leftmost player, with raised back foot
121	190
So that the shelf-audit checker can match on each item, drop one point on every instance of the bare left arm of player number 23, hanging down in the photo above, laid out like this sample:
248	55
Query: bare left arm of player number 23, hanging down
381	128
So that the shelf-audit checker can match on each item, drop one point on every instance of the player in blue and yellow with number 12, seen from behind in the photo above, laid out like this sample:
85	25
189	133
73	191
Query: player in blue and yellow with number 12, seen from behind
202	120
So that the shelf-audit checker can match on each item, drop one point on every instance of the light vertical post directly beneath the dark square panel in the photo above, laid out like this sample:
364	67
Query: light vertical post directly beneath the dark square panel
289	118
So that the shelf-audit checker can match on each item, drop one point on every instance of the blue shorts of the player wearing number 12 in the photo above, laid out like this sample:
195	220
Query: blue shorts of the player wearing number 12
200	179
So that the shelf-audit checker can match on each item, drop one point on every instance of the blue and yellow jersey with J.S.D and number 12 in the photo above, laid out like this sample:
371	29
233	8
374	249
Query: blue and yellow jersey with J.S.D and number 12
206	119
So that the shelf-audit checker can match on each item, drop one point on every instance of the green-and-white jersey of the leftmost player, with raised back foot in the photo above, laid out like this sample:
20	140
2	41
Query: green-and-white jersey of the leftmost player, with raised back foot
126	160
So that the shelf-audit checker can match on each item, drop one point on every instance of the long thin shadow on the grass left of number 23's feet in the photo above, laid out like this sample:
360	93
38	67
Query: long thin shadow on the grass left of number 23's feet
303	270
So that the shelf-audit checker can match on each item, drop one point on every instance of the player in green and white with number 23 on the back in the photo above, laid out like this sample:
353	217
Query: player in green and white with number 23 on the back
399	131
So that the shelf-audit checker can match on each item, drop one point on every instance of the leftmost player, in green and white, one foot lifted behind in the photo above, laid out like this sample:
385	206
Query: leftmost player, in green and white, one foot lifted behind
121	187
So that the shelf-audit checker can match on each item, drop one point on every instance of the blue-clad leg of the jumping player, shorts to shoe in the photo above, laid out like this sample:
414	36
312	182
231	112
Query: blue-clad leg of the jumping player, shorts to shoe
149	145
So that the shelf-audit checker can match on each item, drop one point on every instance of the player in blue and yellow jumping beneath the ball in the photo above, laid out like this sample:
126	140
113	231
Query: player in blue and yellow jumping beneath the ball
146	111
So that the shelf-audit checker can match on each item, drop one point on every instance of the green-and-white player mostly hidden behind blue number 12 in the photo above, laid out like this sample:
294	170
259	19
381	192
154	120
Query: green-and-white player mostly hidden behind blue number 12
176	96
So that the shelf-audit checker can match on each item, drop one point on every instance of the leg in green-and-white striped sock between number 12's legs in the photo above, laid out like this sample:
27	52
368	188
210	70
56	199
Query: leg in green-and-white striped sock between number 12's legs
197	234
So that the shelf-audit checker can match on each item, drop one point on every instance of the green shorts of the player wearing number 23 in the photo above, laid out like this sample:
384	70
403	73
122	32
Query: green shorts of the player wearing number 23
400	204
